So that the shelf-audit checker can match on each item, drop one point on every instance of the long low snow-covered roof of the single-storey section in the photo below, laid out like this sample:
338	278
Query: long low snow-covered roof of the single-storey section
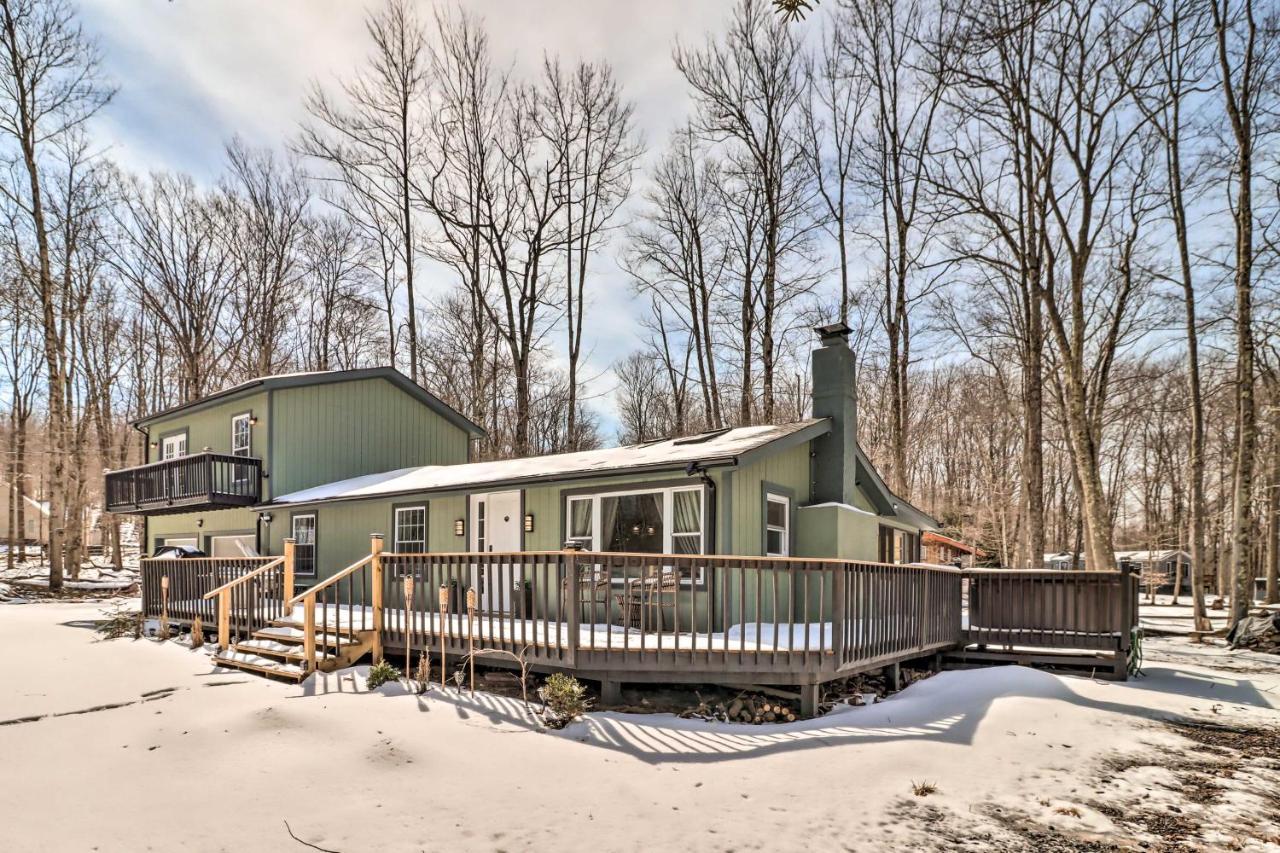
720	448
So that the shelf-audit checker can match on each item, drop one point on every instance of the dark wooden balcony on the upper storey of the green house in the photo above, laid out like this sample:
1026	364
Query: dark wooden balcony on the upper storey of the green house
186	485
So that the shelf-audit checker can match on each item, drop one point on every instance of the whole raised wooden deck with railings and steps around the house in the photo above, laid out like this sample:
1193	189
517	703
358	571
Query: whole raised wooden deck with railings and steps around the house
630	618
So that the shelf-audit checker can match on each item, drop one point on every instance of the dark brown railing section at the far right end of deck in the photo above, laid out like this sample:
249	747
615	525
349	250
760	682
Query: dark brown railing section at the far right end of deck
1066	610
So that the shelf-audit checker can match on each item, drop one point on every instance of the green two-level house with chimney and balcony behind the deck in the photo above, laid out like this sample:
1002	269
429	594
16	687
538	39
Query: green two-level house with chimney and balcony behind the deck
345	455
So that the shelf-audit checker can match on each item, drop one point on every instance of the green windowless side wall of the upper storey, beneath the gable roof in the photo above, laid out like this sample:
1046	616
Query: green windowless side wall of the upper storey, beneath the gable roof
330	432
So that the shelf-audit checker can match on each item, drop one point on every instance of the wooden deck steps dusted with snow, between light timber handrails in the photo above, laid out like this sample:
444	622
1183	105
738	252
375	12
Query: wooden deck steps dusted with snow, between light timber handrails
280	650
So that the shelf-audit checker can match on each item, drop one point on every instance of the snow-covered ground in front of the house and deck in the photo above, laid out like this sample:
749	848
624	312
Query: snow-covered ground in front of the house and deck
140	745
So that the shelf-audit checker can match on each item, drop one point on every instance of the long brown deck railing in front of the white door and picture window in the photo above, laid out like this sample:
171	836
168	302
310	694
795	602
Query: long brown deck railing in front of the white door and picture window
642	613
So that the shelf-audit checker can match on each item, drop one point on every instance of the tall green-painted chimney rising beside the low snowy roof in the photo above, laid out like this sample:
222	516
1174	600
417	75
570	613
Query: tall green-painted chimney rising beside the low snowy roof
835	459
